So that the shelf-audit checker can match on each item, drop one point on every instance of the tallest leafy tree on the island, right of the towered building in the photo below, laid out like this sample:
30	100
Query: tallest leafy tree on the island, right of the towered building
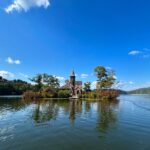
106	78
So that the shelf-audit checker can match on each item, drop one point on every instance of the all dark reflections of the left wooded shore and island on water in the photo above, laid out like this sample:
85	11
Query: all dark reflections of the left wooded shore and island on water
43	111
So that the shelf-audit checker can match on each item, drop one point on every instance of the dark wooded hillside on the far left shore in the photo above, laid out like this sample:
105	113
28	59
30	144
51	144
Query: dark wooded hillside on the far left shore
13	87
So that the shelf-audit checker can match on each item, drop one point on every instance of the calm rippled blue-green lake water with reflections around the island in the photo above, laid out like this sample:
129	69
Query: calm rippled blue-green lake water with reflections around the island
82	125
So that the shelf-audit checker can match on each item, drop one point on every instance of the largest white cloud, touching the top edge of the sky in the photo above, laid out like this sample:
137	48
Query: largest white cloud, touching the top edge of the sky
25	5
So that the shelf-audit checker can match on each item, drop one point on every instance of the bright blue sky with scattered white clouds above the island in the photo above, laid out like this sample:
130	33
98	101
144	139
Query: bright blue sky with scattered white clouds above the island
55	36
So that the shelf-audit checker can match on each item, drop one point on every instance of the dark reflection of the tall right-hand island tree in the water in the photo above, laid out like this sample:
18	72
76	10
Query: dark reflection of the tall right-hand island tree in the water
107	116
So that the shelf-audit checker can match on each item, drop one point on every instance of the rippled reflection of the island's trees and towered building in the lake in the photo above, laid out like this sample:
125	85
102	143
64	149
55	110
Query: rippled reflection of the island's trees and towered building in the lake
45	111
